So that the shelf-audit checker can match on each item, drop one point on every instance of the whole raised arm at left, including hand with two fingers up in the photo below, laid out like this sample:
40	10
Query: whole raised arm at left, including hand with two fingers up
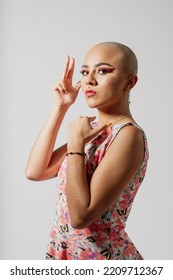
43	162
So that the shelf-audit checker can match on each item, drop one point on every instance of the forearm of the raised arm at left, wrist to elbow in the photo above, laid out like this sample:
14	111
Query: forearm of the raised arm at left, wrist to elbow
42	149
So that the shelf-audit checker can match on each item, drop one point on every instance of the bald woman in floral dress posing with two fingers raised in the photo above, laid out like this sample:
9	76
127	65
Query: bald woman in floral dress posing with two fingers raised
100	168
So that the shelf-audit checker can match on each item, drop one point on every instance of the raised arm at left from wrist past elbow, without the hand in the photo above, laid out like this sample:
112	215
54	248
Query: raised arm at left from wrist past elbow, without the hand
43	163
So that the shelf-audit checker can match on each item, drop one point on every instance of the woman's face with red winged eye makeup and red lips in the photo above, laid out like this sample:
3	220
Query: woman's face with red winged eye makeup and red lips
104	77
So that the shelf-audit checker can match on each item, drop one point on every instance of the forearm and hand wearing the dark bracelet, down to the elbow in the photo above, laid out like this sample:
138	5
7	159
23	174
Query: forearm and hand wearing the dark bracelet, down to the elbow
79	194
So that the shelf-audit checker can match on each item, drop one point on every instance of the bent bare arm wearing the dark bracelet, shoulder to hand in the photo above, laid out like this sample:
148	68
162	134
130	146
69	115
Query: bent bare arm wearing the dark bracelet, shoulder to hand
120	163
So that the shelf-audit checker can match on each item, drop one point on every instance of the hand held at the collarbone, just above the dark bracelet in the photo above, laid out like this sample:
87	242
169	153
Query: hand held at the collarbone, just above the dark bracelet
80	132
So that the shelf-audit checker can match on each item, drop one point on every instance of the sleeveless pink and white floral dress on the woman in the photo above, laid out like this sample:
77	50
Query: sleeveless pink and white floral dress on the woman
104	239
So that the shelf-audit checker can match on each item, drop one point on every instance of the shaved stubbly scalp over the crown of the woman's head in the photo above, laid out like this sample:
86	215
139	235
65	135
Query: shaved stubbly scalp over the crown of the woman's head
129	58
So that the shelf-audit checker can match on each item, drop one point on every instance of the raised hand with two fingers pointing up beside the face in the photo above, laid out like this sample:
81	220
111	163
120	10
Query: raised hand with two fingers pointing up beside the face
64	92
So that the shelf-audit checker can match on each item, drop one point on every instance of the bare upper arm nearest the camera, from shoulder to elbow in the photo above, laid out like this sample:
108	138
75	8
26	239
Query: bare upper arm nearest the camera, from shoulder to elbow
120	163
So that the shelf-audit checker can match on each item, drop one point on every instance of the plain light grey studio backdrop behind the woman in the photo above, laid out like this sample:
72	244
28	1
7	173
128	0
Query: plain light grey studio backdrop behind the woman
35	38
